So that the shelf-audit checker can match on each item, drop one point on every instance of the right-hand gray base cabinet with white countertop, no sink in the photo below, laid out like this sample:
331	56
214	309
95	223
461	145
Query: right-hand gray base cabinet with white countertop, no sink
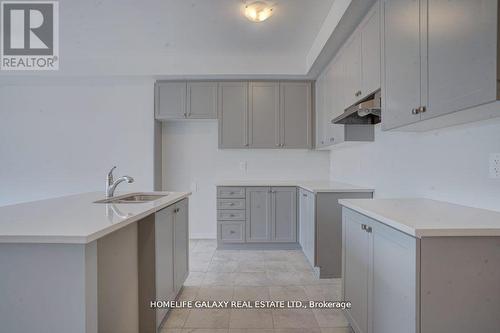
420	266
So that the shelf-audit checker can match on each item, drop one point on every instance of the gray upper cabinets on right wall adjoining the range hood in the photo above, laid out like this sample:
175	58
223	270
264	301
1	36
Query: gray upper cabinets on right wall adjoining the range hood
352	75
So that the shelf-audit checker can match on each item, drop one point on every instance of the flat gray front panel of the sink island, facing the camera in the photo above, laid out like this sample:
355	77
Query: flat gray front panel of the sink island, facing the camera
42	288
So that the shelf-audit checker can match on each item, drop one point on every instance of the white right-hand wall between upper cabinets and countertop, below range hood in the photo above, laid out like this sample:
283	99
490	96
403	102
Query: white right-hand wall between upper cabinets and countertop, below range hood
450	164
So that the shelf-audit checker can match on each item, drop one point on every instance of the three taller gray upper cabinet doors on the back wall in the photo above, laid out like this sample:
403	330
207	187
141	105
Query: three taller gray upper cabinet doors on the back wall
266	114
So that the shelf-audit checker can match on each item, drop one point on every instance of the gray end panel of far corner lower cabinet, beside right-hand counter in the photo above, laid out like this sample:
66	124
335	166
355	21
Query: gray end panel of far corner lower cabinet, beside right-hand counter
329	231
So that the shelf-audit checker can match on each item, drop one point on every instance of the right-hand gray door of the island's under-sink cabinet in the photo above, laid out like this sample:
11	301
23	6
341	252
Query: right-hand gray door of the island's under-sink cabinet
181	244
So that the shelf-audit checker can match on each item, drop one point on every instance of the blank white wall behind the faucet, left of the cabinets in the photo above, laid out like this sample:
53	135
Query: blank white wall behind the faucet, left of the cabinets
60	137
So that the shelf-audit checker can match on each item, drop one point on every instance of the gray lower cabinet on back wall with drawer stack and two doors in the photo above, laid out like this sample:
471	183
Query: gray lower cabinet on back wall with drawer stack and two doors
256	215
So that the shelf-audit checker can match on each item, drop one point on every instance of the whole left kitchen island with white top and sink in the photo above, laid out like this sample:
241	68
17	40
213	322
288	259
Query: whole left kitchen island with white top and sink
72	265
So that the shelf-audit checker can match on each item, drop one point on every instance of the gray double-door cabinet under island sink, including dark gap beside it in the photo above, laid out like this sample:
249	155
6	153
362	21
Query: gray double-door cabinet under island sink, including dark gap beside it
163	261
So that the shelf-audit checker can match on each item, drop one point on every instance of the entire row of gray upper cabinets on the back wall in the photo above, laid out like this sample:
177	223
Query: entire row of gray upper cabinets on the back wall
261	114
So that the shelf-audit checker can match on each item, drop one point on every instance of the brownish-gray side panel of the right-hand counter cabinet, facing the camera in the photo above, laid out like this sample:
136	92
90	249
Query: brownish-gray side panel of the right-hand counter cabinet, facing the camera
460	284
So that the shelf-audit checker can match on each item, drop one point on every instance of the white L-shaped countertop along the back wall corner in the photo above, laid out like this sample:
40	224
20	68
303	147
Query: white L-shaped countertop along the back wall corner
315	186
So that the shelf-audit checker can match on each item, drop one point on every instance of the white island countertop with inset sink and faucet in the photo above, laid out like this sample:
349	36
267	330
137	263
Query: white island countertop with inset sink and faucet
74	219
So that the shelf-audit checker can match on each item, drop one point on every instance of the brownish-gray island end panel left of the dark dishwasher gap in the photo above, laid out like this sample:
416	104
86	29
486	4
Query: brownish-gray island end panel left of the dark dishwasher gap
118	281
